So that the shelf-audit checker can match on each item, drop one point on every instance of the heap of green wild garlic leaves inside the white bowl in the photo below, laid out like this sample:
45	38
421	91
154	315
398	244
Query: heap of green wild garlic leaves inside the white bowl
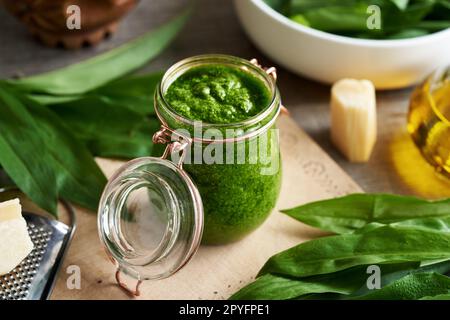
398	18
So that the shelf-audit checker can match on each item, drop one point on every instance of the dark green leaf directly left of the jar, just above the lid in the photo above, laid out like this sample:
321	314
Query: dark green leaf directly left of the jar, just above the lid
110	129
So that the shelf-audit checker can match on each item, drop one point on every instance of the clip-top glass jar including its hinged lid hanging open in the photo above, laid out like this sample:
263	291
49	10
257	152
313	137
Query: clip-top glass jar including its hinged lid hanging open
215	183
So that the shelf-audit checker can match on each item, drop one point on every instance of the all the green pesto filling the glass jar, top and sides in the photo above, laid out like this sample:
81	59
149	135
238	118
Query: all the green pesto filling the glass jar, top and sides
236	197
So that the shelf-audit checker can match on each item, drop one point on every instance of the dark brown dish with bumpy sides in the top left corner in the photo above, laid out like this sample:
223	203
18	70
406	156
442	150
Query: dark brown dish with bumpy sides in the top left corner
47	19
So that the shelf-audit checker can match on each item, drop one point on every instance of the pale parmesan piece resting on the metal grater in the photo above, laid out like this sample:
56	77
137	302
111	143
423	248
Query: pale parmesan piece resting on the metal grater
15	242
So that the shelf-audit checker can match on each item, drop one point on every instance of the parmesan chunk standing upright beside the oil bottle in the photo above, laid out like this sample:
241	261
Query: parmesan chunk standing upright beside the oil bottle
353	118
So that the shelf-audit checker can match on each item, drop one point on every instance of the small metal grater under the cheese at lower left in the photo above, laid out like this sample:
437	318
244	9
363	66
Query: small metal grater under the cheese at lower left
35	277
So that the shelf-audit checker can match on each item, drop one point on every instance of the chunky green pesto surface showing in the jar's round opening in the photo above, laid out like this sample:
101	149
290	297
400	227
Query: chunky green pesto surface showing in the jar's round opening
217	94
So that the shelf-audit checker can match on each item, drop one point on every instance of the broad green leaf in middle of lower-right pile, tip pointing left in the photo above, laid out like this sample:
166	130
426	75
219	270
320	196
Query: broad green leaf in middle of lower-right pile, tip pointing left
381	245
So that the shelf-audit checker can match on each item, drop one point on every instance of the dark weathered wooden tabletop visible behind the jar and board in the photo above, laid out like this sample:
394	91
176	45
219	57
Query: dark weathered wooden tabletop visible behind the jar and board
395	166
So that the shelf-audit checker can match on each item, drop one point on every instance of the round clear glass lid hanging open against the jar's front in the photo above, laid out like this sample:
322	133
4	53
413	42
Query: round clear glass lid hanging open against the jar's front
150	218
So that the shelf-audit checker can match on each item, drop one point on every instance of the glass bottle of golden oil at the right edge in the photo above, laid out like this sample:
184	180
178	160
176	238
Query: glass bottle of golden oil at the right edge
429	120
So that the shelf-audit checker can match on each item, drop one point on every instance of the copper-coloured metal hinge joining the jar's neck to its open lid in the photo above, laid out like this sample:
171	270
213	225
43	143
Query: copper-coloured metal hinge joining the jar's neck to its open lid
176	143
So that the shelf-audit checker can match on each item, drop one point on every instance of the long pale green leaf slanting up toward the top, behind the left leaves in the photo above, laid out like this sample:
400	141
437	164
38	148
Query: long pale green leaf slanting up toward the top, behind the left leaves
90	74
